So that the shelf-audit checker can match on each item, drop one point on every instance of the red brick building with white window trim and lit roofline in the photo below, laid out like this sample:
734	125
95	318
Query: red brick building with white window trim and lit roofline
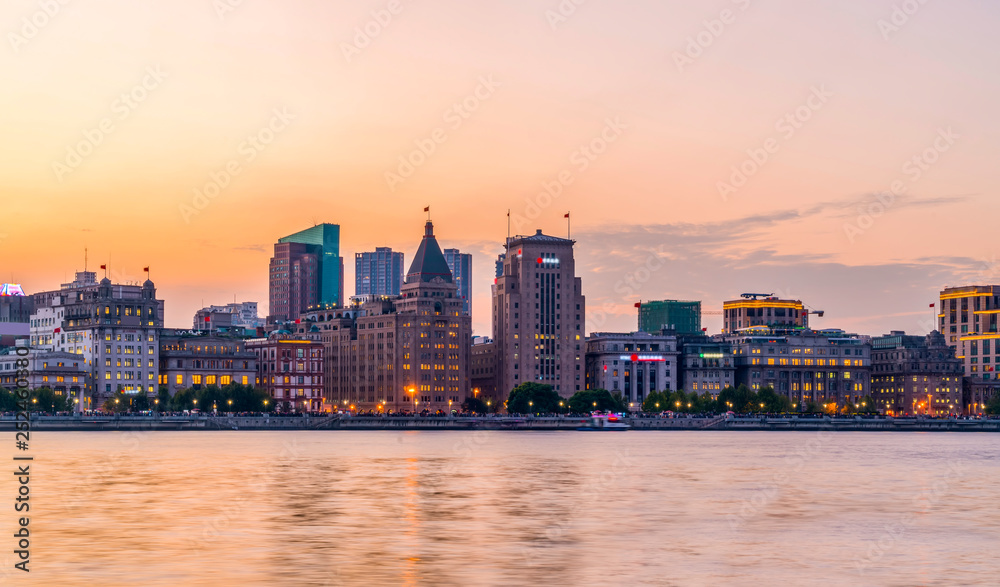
290	370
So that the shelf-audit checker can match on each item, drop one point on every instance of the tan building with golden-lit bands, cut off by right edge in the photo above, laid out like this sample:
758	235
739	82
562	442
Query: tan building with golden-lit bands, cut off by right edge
968	320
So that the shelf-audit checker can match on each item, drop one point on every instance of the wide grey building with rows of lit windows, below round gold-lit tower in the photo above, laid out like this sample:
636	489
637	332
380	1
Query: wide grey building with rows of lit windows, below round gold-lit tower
803	365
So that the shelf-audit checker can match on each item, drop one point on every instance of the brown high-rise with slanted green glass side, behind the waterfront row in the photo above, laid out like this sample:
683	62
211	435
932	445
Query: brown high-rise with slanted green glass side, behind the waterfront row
306	270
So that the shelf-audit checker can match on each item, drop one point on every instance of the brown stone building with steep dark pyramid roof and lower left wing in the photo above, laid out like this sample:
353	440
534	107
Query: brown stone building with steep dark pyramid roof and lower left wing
405	353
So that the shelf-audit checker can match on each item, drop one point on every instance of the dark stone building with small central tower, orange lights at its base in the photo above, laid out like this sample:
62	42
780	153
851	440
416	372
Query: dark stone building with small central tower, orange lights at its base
916	375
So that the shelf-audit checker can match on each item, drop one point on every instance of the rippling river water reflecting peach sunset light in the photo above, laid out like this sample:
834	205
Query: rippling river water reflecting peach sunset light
506	508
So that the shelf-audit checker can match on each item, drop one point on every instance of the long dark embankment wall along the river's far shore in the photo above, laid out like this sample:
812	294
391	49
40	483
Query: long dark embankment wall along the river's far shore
524	423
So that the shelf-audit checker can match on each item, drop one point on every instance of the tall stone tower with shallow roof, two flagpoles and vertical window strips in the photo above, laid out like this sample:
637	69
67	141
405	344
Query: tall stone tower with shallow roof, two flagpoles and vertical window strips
539	312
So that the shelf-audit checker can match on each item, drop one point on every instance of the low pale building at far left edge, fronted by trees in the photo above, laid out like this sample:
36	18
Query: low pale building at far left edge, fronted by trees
64	373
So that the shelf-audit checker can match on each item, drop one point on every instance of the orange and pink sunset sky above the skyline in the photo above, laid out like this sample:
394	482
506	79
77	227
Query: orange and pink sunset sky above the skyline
619	99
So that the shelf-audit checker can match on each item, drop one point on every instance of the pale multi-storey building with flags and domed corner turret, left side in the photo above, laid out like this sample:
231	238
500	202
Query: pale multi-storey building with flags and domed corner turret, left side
114	328
